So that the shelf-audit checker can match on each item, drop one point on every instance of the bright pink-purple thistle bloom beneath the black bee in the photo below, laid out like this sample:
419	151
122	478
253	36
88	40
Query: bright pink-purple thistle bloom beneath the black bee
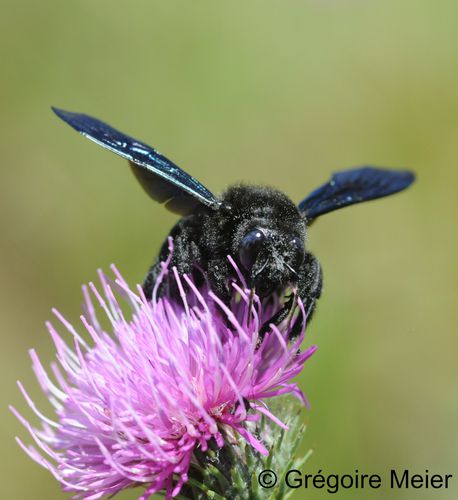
132	407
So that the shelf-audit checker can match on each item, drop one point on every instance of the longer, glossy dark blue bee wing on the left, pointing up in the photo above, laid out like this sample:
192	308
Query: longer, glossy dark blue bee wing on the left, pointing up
164	181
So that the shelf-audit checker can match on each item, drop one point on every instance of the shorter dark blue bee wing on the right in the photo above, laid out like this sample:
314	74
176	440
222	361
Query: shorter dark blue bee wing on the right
354	186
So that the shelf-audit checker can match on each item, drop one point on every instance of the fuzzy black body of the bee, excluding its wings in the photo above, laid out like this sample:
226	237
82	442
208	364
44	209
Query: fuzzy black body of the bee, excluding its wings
204	239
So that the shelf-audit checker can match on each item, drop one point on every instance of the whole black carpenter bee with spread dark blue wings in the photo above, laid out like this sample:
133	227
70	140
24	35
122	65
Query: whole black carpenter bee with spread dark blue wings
260	227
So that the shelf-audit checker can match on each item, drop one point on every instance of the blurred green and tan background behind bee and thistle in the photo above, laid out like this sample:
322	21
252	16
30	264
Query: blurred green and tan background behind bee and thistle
273	92
